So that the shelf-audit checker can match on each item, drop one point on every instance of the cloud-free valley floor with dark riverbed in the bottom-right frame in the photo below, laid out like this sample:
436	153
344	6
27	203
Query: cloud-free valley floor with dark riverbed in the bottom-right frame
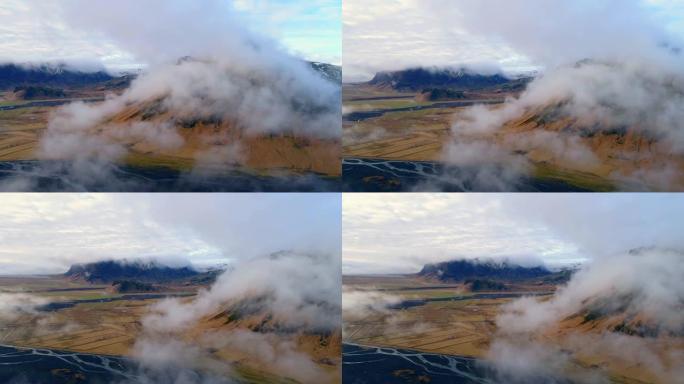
447	320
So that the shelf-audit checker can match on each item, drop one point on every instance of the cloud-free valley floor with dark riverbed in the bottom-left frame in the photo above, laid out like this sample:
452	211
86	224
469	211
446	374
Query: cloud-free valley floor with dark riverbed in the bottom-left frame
91	320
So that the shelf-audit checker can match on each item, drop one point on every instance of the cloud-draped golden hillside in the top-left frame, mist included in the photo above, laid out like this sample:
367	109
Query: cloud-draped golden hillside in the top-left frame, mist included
211	118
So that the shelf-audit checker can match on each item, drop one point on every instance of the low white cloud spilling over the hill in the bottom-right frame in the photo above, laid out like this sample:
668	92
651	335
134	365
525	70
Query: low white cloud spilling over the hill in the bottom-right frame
643	284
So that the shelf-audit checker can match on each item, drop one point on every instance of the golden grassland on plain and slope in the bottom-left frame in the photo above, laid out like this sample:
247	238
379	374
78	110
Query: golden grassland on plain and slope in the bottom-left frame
112	328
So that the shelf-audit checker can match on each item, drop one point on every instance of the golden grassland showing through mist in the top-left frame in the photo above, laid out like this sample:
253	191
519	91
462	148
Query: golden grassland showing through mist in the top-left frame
21	130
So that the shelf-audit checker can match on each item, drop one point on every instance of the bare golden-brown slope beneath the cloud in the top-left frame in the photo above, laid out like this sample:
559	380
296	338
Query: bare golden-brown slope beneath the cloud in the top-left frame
209	140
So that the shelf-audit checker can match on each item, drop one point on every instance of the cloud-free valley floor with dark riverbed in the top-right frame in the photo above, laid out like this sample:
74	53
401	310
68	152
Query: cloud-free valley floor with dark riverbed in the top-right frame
391	126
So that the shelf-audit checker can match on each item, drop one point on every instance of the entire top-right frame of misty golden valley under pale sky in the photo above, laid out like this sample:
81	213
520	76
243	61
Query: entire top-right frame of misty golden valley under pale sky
601	111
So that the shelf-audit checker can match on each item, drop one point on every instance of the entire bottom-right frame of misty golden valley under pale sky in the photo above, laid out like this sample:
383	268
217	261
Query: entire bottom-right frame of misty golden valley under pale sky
612	315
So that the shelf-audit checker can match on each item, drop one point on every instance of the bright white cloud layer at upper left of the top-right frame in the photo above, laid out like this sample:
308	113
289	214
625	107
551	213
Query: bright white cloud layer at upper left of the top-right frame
397	34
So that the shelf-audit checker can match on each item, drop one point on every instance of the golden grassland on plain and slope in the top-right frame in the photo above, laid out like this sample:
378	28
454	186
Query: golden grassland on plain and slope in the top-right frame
423	135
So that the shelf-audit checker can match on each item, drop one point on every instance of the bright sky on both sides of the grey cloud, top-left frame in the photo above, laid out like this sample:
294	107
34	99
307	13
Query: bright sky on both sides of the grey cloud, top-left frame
38	31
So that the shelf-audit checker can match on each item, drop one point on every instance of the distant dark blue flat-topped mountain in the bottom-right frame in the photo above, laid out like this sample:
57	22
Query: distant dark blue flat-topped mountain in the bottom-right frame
466	270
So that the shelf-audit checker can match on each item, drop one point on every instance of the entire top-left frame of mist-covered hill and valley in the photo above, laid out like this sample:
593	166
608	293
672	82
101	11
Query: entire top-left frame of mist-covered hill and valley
218	104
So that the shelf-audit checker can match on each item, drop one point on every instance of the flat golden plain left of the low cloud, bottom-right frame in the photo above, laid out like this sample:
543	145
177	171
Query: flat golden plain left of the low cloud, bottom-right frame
450	327
